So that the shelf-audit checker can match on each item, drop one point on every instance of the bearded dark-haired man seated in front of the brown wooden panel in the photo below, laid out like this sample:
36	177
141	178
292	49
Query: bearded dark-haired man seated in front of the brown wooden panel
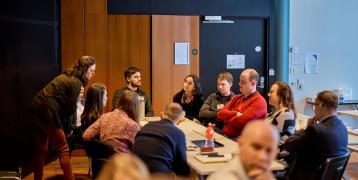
133	79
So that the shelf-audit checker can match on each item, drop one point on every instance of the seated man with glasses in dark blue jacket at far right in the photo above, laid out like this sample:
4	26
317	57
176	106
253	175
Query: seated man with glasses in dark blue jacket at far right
325	136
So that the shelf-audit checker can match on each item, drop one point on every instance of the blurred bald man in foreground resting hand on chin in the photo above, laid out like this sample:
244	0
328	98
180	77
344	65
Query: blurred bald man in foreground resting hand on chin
258	146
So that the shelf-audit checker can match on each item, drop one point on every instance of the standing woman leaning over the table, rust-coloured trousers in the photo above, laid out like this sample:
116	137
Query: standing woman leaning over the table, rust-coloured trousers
51	110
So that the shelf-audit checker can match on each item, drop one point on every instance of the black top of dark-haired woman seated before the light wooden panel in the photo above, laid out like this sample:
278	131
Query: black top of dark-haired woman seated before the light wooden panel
191	109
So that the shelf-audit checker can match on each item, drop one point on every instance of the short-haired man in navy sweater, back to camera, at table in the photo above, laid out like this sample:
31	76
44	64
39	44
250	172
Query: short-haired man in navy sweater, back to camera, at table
161	145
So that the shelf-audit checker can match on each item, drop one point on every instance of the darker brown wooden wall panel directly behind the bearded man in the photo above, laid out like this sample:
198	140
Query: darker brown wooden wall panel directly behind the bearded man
129	45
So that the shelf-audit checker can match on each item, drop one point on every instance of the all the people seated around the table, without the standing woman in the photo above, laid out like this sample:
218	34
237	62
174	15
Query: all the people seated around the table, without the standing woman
162	145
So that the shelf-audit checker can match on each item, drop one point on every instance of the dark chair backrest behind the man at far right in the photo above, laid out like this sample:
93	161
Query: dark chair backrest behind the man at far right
334	167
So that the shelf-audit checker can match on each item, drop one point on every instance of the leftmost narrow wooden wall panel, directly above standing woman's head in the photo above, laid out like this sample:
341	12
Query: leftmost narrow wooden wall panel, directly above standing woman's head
72	31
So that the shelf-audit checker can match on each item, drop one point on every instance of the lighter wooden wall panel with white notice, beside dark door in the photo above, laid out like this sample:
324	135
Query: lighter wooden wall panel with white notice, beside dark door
168	78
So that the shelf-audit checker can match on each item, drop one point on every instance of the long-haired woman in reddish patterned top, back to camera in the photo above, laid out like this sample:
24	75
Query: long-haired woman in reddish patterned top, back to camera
119	127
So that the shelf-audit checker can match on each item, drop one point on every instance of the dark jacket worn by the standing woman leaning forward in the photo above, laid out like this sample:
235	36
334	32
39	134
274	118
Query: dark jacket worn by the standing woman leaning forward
57	102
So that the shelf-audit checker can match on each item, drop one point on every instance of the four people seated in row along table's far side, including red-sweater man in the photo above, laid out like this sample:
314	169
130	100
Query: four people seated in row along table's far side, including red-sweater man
233	112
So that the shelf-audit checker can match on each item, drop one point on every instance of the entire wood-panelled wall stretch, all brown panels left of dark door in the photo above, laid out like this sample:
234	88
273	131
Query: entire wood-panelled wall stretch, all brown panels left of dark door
120	41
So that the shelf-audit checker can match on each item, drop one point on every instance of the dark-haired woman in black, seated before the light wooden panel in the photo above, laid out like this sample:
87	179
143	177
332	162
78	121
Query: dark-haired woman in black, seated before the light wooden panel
190	97
